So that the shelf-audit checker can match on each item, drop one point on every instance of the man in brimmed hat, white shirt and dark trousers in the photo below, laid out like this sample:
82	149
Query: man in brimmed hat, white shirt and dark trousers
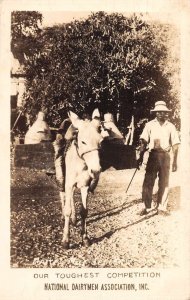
159	136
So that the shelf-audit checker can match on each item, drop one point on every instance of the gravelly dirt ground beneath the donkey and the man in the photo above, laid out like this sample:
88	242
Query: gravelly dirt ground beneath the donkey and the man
119	236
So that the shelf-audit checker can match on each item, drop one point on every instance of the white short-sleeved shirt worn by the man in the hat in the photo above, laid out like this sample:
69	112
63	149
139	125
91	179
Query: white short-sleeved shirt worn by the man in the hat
160	136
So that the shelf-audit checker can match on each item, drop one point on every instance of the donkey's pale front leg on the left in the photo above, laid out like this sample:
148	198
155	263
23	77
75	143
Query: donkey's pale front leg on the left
67	213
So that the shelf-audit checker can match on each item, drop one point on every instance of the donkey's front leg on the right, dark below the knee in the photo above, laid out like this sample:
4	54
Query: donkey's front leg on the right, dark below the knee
84	212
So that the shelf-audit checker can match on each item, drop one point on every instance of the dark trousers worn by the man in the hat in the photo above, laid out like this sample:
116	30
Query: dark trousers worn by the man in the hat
158	165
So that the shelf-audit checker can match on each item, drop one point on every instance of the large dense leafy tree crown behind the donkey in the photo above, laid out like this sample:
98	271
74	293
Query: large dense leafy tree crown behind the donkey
106	61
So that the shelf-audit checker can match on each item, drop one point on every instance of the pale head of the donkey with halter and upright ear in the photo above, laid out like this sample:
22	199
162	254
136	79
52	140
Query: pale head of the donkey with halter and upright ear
88	143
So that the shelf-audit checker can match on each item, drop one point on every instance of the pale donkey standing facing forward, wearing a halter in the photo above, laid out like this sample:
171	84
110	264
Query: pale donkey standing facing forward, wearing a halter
83	168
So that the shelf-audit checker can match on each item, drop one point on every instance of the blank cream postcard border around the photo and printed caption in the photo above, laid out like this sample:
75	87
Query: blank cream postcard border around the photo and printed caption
19	283
